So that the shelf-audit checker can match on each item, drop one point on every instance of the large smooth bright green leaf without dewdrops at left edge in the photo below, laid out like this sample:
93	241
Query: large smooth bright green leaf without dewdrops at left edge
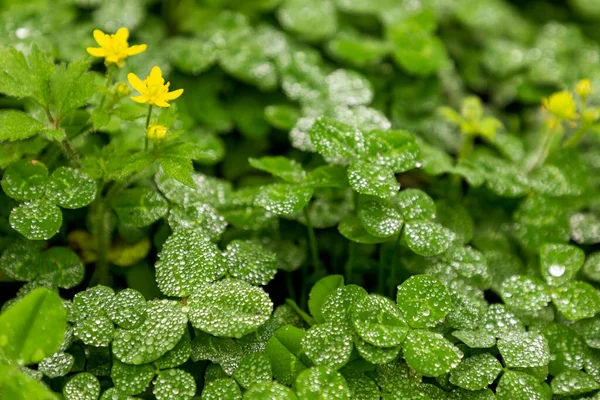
33	328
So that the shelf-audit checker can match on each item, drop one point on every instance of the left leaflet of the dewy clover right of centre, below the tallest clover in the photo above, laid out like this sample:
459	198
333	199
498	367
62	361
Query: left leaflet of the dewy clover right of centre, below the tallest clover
380	218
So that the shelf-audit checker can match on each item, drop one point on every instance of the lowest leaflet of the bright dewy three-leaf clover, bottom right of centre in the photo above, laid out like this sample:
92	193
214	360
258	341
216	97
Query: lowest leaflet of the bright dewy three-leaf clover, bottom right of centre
429	353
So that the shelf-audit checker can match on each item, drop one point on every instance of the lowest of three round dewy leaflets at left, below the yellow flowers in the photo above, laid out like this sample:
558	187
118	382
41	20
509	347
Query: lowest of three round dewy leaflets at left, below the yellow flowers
36	219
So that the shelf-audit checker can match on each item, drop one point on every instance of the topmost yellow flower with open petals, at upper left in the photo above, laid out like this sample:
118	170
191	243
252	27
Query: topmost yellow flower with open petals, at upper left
114	48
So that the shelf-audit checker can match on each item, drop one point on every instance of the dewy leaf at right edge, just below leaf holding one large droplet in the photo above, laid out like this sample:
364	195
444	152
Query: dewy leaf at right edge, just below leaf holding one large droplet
576	300
